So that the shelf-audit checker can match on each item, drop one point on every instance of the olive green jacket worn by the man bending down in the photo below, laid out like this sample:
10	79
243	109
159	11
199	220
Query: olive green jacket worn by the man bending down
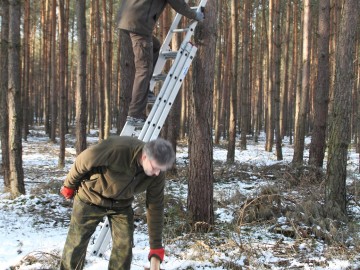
108	175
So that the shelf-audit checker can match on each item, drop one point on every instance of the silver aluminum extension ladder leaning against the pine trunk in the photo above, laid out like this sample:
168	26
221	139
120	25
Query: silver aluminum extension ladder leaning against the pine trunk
164	101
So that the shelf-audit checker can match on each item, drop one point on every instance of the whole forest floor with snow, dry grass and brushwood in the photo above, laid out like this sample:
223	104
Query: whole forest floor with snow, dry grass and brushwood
268	215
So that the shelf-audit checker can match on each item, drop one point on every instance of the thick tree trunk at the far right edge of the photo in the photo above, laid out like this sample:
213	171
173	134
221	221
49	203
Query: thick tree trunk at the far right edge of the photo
339	130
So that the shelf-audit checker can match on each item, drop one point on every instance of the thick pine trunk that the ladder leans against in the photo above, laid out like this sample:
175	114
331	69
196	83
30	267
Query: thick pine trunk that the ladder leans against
200	194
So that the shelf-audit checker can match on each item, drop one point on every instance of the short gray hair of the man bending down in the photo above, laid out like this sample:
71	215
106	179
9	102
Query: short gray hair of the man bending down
161	151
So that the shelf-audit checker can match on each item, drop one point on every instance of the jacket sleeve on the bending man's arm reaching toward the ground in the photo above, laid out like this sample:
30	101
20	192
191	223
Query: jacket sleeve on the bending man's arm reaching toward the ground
155	211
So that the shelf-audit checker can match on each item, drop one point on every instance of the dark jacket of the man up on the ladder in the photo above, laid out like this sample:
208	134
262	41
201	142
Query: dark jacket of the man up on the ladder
140	16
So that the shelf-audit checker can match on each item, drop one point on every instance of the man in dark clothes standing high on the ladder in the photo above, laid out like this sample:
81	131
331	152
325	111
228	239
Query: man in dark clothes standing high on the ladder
137	19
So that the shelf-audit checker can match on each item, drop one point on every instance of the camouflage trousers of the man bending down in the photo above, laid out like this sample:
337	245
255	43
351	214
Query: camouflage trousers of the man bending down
84	220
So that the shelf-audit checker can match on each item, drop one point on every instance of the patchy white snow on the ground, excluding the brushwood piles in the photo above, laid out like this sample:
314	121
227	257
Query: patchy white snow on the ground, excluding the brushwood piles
33	227
